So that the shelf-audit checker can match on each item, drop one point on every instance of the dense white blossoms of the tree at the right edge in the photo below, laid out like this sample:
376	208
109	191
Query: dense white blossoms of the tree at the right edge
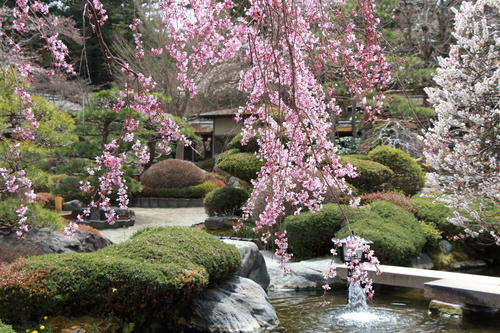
463	145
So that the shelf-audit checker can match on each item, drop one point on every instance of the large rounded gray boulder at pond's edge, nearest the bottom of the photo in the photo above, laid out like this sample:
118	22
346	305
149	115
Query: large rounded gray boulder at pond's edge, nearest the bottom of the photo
237	305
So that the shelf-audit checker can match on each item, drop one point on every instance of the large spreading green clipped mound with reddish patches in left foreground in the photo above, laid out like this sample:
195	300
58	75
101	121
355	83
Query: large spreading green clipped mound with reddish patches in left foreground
152	275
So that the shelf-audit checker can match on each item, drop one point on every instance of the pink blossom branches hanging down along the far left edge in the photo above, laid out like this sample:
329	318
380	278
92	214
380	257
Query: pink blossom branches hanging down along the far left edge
26	19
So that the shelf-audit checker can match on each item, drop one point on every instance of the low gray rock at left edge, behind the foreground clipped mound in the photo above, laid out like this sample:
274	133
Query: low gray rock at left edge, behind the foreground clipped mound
45	241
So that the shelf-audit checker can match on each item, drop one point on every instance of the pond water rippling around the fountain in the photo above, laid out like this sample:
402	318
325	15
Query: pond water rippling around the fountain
392	310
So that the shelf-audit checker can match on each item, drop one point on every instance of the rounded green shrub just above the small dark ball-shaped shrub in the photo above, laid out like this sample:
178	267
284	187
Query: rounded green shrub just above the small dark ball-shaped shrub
242	165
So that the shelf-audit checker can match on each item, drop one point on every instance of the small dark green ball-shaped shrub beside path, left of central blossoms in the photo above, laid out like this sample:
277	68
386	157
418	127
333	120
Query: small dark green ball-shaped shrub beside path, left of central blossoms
225	201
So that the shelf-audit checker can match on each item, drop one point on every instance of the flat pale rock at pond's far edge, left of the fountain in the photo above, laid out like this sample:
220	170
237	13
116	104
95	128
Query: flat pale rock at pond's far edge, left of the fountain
303	275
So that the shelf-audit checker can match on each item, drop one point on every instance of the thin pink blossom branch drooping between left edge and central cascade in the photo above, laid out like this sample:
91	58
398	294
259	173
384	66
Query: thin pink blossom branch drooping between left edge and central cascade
136	95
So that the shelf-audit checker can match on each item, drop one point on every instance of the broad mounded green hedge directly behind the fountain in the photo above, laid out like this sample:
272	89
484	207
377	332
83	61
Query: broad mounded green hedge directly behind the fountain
397	235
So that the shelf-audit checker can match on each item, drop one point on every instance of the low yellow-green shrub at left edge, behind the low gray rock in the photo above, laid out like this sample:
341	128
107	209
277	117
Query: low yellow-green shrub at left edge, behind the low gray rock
38	217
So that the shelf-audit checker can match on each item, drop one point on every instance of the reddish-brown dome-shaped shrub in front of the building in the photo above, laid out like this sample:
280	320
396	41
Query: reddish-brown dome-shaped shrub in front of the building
172	173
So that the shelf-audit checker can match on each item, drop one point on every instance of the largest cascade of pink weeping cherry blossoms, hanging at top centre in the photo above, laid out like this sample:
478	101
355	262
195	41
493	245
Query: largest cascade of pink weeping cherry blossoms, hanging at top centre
286	45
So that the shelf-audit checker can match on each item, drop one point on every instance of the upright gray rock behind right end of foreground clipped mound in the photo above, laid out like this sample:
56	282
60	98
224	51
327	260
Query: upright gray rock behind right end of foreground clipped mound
253	265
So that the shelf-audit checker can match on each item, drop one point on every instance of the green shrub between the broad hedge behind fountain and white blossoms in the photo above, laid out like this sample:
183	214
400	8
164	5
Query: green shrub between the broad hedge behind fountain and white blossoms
429	210
